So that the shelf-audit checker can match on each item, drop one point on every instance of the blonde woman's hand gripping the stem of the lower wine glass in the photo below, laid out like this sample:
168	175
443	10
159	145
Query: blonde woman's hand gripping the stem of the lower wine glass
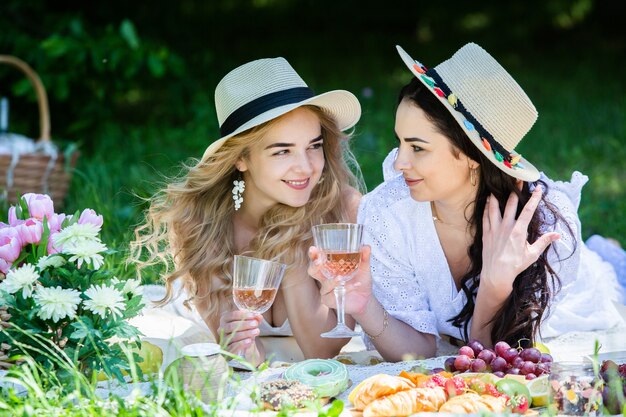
238	331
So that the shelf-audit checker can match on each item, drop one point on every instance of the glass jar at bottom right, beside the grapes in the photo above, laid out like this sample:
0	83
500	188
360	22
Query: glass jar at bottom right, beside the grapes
574	389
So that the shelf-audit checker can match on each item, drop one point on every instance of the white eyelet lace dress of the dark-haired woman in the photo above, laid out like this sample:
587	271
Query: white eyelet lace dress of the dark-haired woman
412	280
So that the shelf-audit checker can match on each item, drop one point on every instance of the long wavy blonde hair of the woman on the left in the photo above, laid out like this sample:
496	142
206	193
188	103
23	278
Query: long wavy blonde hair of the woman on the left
189	226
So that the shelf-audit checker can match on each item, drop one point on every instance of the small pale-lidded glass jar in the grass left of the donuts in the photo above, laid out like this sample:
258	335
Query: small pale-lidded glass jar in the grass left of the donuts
201	370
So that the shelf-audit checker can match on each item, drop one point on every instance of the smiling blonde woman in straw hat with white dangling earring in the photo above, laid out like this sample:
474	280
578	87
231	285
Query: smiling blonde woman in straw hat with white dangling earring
279	168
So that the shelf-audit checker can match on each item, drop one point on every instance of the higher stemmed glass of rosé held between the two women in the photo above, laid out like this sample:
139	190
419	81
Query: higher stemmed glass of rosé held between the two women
340	244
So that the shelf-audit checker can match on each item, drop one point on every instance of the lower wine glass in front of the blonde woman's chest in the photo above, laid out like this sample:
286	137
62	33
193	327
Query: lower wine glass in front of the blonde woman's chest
255	283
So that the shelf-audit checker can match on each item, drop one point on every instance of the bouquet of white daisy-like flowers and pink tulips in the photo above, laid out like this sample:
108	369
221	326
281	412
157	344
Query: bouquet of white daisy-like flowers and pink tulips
57	304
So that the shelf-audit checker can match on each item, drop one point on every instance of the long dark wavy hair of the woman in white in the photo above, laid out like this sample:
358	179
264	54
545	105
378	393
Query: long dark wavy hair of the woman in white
520	317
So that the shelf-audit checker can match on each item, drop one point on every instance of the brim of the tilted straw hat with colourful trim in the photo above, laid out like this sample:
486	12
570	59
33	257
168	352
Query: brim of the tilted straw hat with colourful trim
524	170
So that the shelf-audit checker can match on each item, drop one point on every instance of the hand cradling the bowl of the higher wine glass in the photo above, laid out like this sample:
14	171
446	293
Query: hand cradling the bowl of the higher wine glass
358	289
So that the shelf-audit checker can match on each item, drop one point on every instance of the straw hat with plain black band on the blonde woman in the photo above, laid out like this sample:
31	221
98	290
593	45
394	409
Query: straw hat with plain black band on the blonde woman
265	89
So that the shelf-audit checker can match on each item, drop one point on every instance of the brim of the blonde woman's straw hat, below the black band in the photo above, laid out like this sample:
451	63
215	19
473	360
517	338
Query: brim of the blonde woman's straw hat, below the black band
341	105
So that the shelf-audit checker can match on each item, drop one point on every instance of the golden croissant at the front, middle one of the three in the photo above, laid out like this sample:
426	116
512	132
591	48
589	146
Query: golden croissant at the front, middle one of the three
405	403
